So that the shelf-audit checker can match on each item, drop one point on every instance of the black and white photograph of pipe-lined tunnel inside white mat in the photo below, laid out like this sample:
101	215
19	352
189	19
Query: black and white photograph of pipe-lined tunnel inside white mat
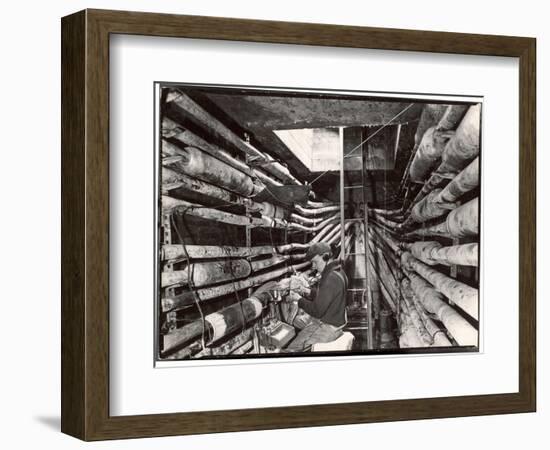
295	222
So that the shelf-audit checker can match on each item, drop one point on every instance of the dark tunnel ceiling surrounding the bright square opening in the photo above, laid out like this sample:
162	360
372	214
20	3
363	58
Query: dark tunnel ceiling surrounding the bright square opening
261	114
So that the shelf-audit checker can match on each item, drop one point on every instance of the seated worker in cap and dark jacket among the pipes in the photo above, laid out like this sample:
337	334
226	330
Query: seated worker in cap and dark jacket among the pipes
326	304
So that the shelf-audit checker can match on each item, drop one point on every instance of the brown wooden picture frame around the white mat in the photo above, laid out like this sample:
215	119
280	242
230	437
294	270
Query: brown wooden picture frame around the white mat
85	224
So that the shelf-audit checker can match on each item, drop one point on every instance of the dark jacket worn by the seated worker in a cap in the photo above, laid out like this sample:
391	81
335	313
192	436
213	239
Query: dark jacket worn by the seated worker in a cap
329	299
